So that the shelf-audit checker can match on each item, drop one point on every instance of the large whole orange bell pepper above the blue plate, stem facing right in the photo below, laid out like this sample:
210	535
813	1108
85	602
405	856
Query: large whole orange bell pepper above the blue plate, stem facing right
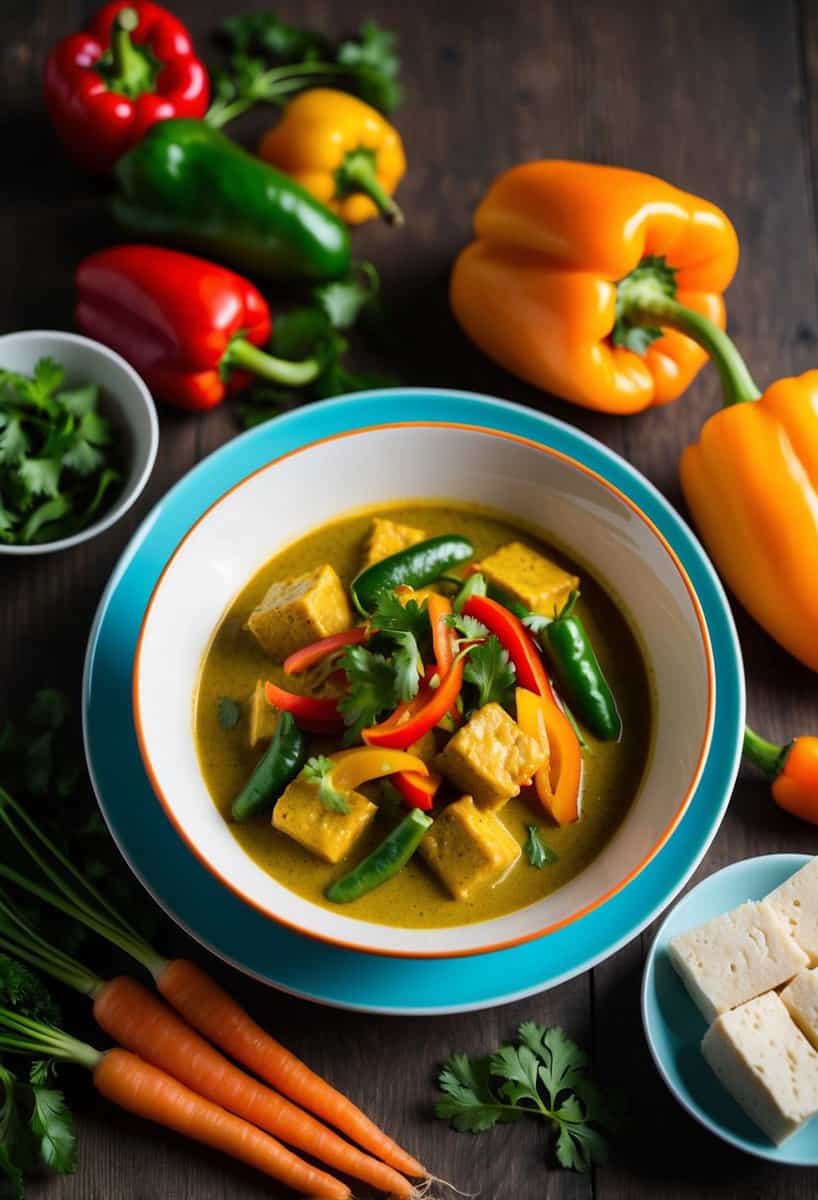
591	283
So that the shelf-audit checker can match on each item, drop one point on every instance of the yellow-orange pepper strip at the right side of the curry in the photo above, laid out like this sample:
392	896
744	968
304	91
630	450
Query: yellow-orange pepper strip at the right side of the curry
560	783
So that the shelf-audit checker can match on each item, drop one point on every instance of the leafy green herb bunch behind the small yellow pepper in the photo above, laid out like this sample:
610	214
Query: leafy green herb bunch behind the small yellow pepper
270	61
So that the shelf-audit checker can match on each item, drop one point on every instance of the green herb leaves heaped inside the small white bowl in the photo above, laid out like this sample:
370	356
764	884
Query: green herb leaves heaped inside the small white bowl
58	460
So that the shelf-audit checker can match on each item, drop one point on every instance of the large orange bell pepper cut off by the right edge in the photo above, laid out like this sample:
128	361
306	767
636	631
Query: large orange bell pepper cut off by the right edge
751	484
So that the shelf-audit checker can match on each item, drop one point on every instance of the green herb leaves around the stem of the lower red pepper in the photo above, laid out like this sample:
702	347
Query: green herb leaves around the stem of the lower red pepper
320	329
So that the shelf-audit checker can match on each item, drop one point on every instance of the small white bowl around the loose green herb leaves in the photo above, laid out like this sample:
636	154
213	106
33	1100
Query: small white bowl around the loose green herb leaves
124	399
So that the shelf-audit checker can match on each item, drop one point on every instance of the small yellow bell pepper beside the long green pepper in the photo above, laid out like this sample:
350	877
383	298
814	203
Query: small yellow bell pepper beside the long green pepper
344	152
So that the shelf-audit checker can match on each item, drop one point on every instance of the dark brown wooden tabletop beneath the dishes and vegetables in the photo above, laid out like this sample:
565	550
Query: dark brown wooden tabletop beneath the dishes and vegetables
720	97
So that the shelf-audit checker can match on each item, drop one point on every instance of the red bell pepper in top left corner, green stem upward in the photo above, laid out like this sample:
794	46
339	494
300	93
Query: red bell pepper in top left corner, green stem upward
134	67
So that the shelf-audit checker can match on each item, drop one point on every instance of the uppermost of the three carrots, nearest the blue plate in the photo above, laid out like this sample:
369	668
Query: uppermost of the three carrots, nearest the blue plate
208	1009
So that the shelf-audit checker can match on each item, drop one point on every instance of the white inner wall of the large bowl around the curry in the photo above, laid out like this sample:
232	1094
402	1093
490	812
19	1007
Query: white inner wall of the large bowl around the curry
291	497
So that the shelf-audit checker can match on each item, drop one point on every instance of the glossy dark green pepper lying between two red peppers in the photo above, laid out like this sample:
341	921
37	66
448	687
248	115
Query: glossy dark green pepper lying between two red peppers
188	184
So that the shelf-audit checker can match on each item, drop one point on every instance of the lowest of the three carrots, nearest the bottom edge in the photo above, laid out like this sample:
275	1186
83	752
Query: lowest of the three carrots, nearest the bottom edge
142	1089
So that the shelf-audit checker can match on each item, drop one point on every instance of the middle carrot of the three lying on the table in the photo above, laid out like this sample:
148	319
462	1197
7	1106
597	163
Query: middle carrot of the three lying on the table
142	1023
